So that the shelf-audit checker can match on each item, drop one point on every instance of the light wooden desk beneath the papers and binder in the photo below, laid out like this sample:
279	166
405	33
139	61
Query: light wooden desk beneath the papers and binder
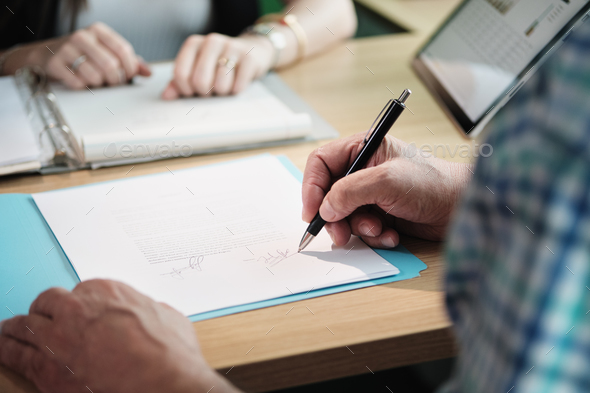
348	333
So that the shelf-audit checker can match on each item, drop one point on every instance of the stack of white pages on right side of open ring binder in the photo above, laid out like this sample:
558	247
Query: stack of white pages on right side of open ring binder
133	122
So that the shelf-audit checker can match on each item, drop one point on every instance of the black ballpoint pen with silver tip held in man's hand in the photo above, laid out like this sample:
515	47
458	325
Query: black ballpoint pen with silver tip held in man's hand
392	110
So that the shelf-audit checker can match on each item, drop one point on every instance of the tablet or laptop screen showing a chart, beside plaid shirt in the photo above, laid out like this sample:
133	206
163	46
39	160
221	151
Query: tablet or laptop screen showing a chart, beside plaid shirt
487	49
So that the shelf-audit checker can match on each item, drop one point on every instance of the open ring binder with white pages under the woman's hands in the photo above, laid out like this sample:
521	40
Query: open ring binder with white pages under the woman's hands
59	130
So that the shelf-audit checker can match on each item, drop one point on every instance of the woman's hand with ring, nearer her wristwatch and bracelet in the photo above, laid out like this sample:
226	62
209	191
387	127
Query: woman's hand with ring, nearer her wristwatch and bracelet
218	64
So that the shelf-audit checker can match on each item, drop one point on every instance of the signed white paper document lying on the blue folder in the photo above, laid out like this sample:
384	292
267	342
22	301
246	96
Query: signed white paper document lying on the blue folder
203	239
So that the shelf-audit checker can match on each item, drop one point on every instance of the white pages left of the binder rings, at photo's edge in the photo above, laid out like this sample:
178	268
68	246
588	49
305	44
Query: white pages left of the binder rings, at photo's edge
17	139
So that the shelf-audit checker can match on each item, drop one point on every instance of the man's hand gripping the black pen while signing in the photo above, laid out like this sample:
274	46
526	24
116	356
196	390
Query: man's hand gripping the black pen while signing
399	191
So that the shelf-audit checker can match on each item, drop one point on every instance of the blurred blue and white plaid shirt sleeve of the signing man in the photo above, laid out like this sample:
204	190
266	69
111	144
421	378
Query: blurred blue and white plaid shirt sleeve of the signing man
518	252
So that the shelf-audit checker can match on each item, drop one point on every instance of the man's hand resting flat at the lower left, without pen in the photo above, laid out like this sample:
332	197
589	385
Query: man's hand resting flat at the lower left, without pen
106	336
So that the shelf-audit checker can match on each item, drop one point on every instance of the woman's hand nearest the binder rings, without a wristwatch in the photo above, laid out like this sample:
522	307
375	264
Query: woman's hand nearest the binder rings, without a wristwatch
94	56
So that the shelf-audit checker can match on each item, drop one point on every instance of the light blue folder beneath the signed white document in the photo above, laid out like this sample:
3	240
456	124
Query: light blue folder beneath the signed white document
31	261
